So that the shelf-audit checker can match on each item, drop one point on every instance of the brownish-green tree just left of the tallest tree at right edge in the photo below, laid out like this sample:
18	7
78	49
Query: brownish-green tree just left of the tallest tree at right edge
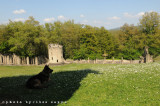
128	42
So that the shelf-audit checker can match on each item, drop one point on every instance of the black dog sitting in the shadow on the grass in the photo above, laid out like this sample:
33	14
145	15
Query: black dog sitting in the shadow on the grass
39	81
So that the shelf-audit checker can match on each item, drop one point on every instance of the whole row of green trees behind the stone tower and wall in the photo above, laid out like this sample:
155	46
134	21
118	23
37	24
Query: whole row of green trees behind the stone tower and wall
80	41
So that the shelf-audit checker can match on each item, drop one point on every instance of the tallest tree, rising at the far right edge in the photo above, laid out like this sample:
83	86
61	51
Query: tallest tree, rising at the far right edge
150	27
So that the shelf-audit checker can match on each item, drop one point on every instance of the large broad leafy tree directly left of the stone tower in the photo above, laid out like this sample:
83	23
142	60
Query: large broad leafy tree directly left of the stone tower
26	39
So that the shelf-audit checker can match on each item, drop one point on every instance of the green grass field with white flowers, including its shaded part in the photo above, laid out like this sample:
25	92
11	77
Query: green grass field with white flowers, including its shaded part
86	84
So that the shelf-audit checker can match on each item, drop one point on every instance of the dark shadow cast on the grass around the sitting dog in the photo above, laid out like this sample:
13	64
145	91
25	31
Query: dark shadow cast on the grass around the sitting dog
61	87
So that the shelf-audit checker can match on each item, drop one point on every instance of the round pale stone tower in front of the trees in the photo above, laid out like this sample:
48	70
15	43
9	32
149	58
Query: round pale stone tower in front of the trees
55	53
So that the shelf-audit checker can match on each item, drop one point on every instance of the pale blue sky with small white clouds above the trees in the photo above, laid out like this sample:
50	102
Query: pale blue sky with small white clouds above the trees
108	13
